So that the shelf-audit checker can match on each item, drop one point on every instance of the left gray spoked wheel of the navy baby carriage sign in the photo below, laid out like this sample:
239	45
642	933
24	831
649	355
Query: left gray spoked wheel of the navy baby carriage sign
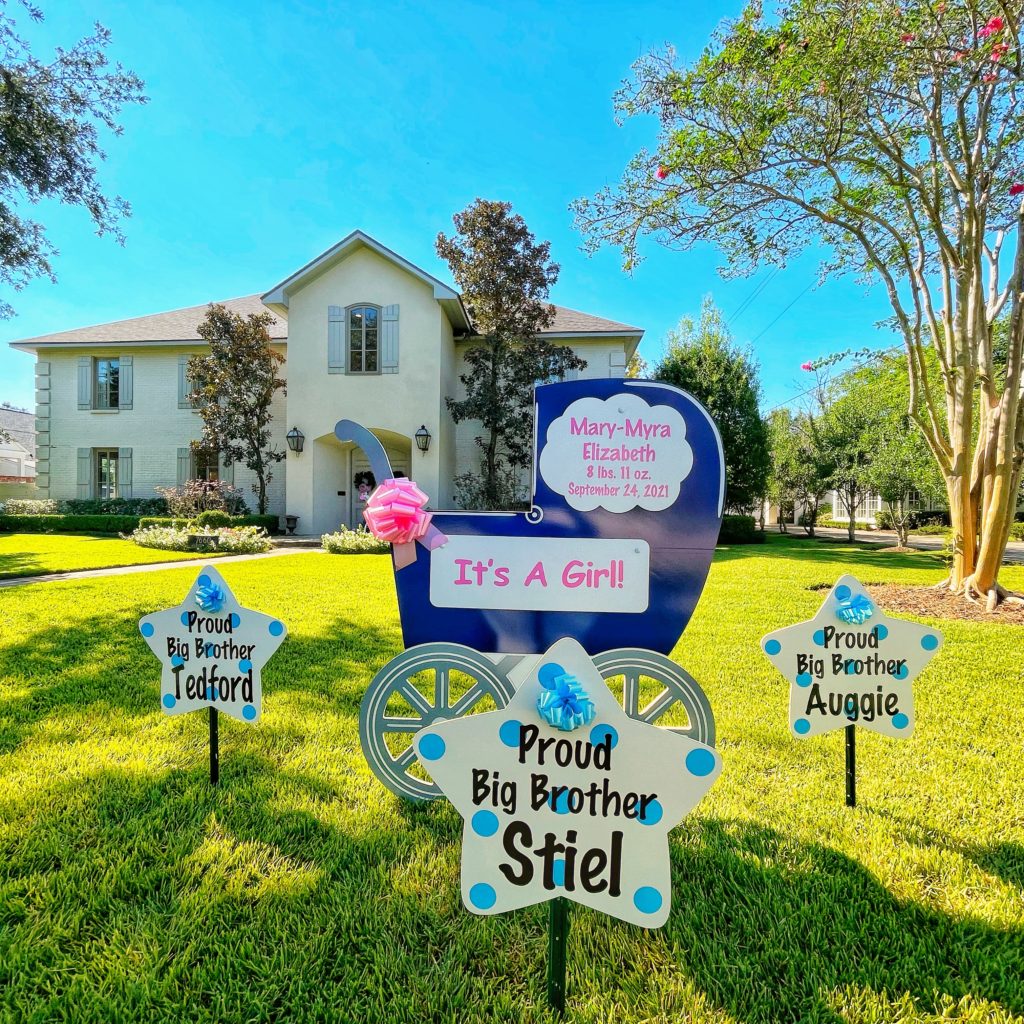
424	685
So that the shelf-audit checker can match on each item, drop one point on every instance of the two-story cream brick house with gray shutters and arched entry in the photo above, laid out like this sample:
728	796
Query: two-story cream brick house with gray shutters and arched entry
367	336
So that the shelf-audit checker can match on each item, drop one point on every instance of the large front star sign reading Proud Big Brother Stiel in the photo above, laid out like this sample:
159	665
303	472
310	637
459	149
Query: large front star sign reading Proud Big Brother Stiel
583	814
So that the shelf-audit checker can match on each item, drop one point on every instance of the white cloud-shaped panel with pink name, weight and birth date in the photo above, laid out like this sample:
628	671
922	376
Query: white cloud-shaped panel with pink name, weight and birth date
618	454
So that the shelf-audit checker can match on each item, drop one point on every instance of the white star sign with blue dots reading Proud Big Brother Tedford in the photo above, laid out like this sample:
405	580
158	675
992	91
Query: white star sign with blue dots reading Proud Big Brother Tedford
212	651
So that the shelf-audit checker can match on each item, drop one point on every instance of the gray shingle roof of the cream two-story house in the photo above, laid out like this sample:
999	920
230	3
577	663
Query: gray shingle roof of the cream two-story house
180	325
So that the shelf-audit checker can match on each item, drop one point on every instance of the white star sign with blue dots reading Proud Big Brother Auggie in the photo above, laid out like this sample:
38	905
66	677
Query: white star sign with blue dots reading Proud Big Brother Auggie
851	663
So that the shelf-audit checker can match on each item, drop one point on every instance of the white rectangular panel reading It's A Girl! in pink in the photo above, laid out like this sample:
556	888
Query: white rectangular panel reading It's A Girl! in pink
541	575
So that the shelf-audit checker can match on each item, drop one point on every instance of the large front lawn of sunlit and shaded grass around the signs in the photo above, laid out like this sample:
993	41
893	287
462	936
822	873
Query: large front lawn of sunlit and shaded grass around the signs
304	891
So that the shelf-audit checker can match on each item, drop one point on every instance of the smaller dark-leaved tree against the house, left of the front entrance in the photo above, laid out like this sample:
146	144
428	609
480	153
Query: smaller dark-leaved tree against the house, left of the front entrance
234	388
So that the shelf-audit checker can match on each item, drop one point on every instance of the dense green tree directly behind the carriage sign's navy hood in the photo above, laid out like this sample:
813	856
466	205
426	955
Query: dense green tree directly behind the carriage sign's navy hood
702	359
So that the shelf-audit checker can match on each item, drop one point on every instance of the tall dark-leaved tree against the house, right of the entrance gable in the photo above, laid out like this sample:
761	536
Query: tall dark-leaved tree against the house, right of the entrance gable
505	277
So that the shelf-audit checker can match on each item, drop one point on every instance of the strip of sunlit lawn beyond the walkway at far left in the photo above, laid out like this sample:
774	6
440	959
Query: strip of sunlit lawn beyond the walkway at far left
35	554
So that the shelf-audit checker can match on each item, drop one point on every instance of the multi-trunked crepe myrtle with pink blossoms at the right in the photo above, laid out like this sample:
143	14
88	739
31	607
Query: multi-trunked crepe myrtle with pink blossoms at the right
891	135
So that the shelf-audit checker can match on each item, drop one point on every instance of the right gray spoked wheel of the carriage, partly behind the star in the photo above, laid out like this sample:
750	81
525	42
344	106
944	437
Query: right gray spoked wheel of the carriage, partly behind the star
635	670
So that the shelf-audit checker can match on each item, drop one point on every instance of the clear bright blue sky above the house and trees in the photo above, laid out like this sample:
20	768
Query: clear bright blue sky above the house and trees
274	130
